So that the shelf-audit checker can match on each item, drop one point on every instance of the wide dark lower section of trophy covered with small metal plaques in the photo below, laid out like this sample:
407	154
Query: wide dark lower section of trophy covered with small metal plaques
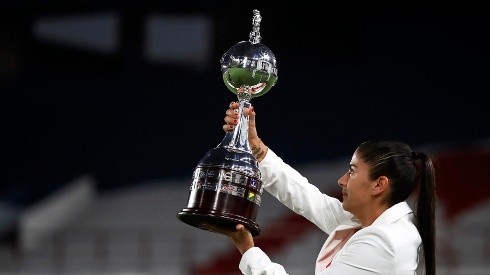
226	190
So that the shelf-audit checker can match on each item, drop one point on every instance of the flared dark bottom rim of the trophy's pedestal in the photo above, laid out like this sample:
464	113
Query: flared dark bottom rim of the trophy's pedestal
196	218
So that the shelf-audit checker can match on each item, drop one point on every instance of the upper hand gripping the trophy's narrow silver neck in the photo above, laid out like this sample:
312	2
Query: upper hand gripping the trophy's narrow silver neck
259	149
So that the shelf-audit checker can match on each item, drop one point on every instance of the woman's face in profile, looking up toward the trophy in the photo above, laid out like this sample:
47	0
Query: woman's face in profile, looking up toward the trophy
356	186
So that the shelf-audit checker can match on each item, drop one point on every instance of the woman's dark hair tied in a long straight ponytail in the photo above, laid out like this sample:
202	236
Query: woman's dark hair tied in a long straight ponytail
409	173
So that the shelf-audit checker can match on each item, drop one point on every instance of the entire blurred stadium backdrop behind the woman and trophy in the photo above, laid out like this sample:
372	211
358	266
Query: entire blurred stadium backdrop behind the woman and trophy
107	106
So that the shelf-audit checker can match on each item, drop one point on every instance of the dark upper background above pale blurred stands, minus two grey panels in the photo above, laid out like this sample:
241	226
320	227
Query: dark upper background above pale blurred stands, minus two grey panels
417	71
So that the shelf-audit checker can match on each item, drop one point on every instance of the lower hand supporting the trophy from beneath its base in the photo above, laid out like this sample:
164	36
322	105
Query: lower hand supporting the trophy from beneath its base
241	237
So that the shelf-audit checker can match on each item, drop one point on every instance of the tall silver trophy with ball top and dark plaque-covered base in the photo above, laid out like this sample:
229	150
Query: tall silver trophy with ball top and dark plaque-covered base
226	186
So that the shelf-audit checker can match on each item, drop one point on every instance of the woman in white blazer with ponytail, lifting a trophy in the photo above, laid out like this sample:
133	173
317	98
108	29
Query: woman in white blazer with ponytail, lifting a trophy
373	230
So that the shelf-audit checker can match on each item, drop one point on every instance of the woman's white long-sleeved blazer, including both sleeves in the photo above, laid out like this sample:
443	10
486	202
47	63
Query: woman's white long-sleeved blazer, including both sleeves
389	246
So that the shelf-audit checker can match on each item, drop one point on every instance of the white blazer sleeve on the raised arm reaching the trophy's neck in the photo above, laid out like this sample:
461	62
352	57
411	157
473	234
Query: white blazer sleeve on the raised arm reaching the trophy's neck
293	190
